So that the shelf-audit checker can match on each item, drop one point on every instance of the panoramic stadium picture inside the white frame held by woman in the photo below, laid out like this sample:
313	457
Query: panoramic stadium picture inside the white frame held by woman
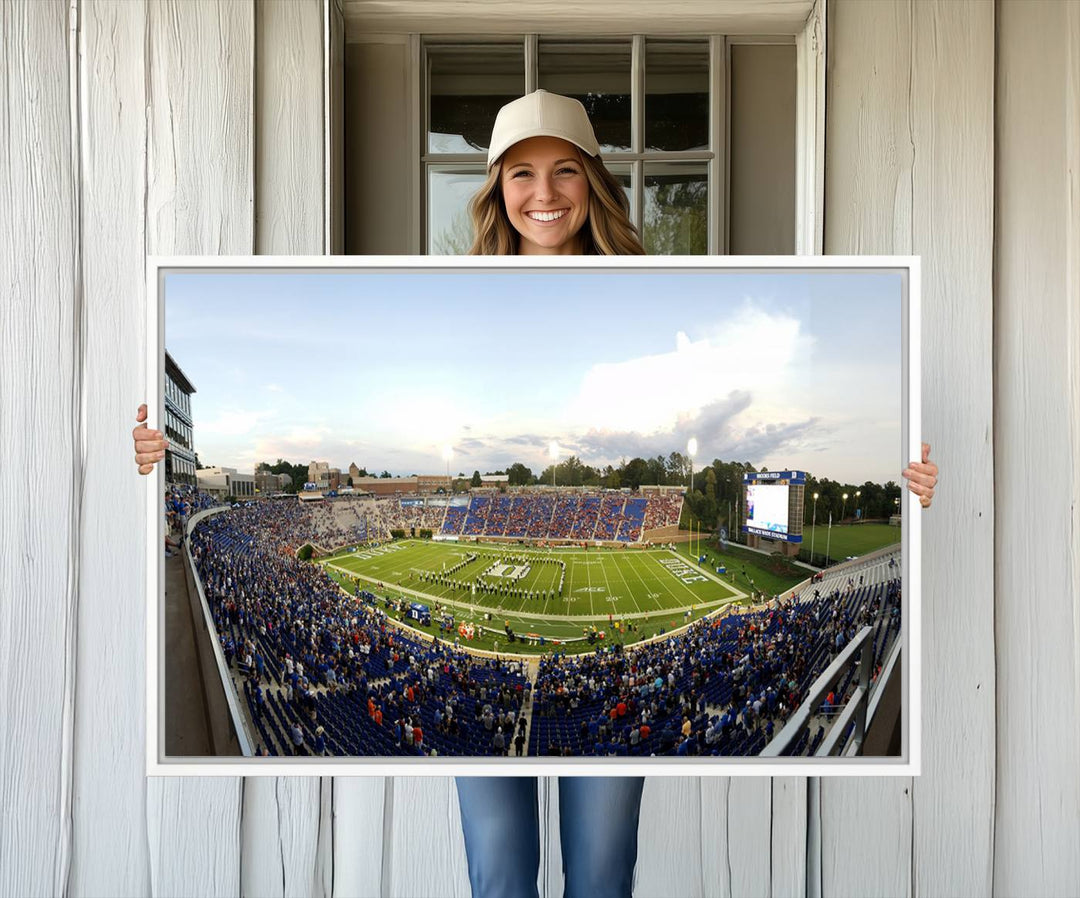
535	515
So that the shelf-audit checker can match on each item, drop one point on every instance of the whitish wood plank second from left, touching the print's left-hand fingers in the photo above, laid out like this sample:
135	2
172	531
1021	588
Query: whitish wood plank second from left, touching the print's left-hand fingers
111	728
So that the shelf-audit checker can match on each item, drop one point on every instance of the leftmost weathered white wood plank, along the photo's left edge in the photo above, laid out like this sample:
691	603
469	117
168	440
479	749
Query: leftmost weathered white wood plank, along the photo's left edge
40	433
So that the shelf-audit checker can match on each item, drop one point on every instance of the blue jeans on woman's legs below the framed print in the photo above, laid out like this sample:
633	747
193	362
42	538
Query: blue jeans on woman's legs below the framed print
598	826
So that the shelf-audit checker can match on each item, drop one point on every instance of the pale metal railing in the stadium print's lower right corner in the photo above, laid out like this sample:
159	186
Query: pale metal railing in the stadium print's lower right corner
854	712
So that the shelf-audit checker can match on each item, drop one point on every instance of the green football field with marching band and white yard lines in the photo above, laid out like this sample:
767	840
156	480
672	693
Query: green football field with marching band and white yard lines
555	594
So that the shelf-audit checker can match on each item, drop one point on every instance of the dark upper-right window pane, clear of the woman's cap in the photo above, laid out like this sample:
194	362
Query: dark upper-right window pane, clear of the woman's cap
677	96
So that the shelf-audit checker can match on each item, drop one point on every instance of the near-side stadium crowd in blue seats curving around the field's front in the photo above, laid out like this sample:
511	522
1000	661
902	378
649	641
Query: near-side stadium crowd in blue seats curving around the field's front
327	673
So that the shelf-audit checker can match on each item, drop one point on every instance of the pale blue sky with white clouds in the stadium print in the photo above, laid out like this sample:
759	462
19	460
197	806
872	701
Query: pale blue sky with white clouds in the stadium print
386	370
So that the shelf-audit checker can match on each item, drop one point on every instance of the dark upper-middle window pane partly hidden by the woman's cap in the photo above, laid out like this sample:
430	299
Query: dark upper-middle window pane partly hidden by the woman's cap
599	76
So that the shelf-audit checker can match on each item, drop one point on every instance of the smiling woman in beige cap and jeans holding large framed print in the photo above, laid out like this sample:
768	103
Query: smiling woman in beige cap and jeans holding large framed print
548	194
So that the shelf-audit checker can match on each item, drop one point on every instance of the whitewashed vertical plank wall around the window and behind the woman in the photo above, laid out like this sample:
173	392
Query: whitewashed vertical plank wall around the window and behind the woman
131	128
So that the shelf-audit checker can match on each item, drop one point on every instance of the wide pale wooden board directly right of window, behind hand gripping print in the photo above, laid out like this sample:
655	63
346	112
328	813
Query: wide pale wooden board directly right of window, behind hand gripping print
910	151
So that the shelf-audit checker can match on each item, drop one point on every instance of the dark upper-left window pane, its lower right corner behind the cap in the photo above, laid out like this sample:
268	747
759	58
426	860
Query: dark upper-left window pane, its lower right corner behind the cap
467	86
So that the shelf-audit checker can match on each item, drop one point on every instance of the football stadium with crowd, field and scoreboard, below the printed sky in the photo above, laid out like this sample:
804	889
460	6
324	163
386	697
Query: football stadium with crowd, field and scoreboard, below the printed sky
546	622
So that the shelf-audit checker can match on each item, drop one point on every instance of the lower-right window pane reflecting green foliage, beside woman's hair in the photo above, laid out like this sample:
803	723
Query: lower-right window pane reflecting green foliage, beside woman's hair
677	209
